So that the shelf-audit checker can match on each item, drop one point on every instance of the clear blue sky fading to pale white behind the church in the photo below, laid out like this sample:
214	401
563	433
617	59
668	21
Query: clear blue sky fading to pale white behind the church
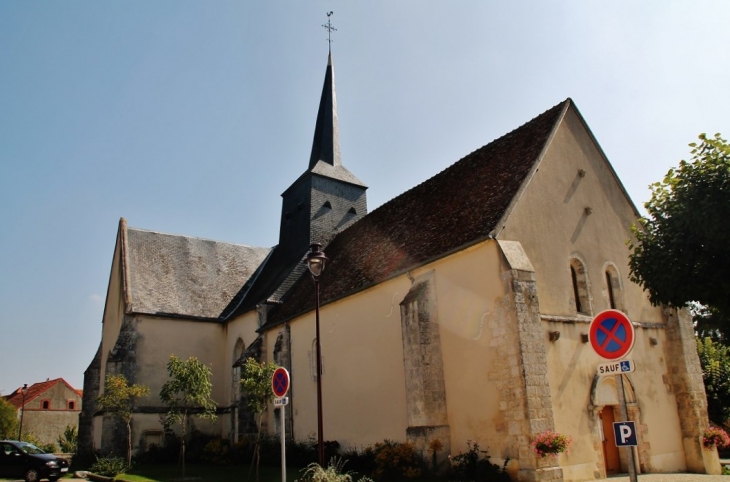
190	117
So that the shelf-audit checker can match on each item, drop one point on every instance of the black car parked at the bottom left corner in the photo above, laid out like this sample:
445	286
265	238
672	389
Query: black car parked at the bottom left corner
23	460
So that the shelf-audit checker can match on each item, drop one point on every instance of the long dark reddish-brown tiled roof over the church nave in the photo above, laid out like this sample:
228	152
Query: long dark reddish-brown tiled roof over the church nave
456	208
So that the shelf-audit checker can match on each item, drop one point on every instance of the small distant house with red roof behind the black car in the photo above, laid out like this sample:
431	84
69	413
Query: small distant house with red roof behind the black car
48	408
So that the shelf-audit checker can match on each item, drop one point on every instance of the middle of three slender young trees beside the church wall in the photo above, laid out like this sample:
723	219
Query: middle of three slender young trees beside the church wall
188	391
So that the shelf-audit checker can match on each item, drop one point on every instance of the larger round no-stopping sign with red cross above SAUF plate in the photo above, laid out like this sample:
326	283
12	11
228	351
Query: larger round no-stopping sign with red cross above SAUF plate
611	334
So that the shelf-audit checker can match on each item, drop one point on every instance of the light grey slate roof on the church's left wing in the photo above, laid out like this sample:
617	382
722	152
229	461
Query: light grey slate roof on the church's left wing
175	275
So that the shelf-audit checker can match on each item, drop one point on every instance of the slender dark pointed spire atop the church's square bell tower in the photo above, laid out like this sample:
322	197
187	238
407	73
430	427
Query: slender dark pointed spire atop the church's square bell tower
326	144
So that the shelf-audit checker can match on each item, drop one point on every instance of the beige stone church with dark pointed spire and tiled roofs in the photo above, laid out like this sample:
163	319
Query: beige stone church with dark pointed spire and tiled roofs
458	311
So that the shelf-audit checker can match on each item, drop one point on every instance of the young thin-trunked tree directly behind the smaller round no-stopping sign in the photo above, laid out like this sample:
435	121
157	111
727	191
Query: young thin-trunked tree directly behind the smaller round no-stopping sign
256	385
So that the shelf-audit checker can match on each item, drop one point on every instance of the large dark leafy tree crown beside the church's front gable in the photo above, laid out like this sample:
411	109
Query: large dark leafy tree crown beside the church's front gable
682	248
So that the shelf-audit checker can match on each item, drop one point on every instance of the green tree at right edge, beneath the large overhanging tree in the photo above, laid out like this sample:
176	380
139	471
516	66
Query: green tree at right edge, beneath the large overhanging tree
715	361
